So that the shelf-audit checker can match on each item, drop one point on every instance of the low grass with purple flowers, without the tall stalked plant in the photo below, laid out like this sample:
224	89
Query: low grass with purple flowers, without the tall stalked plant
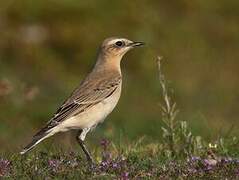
140	159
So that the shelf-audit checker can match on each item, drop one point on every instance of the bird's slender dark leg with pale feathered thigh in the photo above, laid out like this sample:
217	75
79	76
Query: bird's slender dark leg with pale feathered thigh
80	139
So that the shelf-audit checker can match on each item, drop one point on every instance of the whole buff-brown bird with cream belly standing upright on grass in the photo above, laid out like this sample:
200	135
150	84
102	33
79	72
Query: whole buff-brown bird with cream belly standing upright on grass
93	100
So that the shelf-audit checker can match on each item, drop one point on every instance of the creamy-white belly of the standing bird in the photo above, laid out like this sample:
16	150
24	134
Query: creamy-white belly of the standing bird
91	117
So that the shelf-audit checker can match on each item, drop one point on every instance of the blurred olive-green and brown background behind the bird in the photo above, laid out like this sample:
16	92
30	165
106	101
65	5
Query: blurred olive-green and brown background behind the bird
48	46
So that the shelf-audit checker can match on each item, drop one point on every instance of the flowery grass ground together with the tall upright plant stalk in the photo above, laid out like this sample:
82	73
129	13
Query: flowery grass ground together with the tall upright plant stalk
180	155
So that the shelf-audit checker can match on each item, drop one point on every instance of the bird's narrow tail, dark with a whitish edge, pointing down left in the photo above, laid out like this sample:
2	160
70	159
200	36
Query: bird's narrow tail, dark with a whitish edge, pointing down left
36	139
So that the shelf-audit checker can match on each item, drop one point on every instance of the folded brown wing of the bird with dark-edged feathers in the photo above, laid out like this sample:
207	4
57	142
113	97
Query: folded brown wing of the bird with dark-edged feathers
87	95
